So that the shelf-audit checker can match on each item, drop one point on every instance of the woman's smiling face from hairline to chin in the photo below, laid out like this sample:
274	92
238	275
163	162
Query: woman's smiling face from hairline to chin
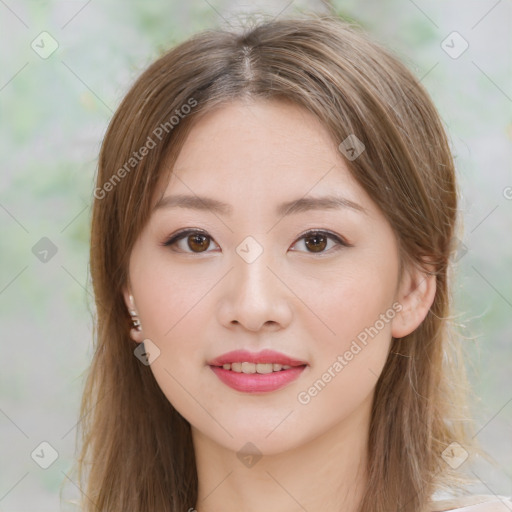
250	280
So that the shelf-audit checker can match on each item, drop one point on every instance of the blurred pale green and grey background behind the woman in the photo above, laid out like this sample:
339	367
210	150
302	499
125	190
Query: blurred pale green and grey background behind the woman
65	67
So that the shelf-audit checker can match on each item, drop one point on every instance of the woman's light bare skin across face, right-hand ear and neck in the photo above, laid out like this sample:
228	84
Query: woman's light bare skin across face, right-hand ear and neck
197	304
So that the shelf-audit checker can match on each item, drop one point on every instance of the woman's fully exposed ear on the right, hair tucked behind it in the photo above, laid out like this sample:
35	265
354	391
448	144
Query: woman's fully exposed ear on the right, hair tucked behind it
416	293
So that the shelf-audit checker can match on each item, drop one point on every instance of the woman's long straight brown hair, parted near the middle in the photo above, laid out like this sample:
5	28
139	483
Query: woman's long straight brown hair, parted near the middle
136	449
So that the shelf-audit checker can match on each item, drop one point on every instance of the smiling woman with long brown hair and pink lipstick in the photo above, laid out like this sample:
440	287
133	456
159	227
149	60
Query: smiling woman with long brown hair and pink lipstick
275	213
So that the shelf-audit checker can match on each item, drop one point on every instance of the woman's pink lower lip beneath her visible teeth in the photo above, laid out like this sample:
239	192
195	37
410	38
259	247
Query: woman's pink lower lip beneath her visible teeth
257	382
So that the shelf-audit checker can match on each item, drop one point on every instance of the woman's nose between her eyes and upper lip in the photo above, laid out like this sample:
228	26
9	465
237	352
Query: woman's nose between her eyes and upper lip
254	296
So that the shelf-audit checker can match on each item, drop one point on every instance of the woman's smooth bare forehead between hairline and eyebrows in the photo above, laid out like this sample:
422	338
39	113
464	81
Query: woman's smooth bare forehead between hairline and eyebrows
260	152
